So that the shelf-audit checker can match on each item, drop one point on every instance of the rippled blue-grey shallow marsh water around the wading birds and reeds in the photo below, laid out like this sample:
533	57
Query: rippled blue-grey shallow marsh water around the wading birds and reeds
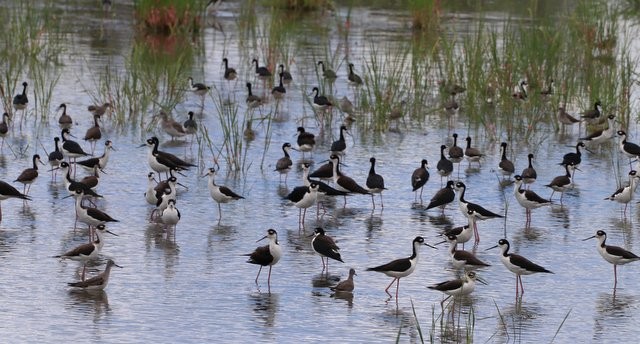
197	287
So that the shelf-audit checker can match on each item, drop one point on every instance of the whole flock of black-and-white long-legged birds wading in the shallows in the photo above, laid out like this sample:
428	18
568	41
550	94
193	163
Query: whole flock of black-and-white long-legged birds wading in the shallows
326	181
